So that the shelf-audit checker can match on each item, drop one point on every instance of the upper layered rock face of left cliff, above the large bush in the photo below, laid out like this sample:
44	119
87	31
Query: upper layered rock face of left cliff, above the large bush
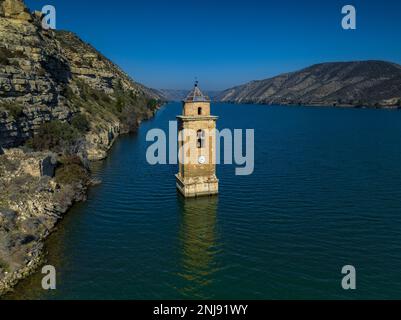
48	75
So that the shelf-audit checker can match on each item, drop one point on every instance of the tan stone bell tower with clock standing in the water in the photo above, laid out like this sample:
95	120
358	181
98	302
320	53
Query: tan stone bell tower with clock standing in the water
197	145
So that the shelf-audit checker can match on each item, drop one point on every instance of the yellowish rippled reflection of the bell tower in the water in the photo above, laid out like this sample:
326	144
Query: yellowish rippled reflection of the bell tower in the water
200	246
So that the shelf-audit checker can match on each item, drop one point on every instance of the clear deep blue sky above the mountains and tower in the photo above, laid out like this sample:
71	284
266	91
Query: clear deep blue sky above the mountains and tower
166	44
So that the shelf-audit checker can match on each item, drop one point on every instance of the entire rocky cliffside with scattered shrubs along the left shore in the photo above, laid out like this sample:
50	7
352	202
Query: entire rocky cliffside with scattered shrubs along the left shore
62	103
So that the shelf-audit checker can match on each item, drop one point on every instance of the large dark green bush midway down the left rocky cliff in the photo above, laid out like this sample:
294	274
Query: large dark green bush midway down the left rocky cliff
55	136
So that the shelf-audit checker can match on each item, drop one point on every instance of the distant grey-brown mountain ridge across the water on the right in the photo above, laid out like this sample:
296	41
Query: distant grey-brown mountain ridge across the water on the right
357	83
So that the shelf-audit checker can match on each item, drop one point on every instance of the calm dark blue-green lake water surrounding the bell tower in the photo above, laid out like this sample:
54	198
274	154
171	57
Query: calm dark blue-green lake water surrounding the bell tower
325	193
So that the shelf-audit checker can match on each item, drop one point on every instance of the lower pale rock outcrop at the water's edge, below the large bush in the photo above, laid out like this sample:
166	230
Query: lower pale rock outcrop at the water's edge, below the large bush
31	203
